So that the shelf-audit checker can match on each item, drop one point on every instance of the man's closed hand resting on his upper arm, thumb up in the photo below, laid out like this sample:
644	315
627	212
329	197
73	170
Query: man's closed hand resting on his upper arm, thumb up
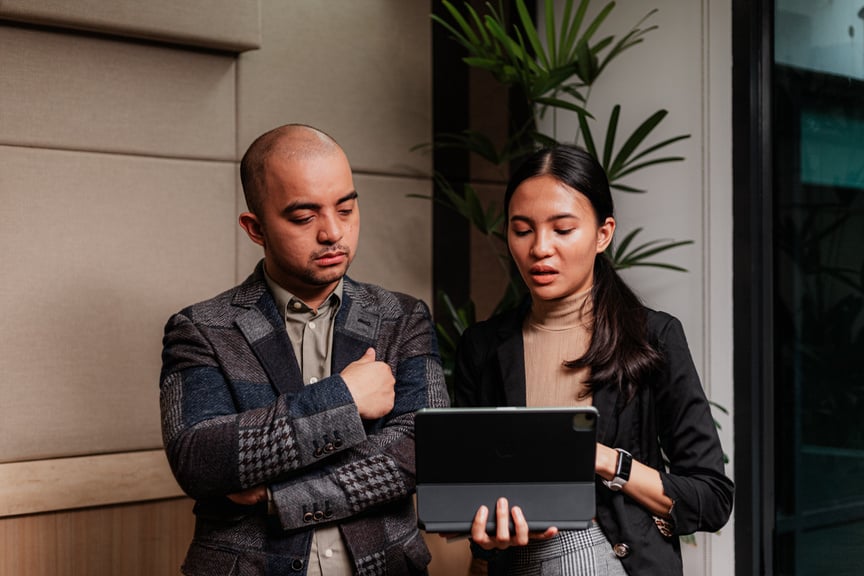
371	383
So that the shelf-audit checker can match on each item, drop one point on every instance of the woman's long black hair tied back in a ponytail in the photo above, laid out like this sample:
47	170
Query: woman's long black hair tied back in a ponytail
619	351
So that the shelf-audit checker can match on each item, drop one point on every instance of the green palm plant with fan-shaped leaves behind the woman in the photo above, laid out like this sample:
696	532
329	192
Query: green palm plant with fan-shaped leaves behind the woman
553	71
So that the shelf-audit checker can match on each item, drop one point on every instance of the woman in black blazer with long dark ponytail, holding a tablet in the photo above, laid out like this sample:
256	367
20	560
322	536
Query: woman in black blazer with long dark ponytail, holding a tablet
584	338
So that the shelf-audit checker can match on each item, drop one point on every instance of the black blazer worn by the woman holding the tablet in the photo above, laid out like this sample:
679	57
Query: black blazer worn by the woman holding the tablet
669	412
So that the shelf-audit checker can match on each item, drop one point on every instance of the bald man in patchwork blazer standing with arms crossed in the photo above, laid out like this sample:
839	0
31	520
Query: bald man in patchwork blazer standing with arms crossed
288	401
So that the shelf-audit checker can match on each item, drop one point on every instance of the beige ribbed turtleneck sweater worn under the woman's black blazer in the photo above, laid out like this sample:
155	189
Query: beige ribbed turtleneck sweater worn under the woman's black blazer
554	332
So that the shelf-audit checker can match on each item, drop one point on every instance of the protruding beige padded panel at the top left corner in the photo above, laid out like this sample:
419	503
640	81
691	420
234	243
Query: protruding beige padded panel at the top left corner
221	24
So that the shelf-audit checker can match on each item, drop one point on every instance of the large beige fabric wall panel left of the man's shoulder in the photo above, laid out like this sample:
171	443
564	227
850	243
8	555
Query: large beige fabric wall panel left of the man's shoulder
98	250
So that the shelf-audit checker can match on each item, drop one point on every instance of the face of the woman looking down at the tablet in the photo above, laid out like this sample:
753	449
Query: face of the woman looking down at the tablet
554	237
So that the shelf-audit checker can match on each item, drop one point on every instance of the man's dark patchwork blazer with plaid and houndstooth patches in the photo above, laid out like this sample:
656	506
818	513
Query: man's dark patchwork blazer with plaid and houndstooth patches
235	415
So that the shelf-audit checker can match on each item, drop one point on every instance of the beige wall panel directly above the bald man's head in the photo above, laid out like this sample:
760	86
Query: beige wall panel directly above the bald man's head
359	70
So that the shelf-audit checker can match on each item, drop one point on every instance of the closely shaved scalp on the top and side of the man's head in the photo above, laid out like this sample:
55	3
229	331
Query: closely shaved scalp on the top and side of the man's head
291	141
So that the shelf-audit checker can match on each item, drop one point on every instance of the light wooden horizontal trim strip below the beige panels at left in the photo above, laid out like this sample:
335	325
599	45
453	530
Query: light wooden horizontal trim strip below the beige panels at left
65	483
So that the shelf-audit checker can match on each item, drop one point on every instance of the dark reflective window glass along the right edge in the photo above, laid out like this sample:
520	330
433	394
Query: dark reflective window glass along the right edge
818	236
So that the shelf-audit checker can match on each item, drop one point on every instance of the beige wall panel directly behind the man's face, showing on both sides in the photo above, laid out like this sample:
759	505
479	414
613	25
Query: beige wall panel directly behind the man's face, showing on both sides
395	236
